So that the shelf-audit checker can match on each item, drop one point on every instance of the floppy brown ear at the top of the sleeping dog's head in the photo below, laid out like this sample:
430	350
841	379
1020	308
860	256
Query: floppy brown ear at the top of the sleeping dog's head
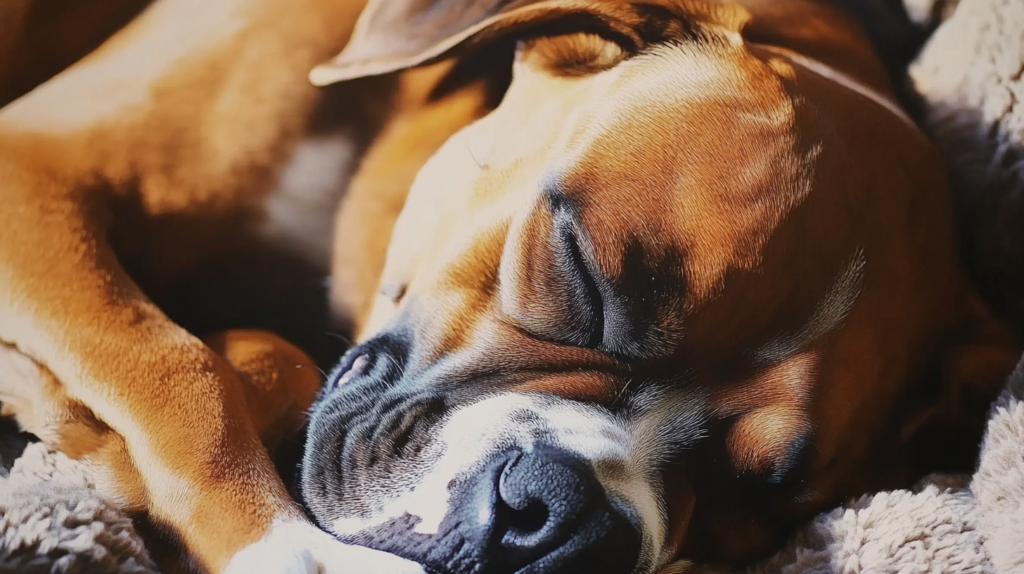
393	35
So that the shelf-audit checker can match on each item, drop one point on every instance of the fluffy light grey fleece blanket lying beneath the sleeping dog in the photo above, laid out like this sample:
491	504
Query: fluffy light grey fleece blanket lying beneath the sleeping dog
970	78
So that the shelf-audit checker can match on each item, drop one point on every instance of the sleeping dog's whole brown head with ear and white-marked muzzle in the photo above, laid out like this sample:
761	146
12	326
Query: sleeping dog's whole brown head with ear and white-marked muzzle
665	300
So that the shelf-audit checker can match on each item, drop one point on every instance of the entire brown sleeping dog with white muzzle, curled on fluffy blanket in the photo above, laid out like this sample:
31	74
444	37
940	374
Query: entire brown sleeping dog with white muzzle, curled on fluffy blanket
773	321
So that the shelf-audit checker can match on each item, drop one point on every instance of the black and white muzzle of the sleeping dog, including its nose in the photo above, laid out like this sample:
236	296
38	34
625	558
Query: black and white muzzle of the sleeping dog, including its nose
395	470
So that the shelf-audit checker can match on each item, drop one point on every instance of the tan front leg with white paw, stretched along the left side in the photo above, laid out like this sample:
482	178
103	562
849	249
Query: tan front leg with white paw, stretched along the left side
67	304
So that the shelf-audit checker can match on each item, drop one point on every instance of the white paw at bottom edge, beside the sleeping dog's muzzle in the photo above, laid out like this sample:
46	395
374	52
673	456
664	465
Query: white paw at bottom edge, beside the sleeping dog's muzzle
300	548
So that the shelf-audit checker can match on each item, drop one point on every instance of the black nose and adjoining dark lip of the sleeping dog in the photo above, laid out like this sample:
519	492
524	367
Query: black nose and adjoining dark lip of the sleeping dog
540	511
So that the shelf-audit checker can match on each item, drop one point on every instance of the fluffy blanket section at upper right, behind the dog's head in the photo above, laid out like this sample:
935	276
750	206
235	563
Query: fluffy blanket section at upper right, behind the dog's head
970	79
